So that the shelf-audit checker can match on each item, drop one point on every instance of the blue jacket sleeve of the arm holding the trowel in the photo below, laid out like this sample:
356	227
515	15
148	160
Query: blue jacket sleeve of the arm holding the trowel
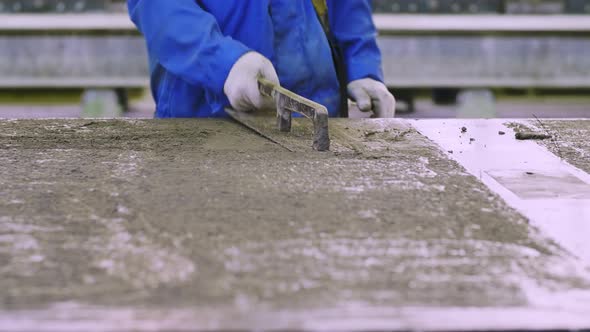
186	40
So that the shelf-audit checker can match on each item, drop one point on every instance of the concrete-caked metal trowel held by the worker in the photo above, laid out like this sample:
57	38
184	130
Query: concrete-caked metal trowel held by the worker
286	103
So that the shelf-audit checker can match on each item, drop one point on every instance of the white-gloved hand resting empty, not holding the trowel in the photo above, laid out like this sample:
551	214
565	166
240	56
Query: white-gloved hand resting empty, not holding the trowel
372	95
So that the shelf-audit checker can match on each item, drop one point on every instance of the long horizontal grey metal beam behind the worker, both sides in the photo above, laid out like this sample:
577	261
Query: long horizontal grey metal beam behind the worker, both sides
418	50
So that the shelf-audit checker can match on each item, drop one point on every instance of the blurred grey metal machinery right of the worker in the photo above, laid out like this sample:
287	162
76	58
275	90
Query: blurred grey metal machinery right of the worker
453	45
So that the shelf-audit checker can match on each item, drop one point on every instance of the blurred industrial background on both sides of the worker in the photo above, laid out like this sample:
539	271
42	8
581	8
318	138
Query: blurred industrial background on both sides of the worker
441	58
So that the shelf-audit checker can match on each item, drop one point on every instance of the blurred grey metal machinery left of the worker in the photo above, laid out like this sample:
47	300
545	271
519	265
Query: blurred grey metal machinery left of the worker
87	44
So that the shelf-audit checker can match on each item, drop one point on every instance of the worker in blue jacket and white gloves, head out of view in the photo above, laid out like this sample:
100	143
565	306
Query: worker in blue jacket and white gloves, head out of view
205	55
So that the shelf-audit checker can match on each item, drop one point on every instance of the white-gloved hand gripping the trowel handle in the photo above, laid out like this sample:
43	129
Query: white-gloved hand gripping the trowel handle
241	85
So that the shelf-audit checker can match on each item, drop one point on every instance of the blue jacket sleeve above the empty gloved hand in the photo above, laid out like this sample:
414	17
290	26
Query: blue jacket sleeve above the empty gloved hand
351	22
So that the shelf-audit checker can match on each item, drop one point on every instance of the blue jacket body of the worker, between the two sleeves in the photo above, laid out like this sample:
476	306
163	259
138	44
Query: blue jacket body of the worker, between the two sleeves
288	32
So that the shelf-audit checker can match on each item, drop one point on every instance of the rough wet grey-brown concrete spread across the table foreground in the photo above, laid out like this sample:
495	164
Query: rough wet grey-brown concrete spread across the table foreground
201	224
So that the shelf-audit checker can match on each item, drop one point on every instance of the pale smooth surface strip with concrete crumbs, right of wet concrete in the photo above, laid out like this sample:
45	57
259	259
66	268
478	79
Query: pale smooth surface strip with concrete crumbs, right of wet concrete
552	193
